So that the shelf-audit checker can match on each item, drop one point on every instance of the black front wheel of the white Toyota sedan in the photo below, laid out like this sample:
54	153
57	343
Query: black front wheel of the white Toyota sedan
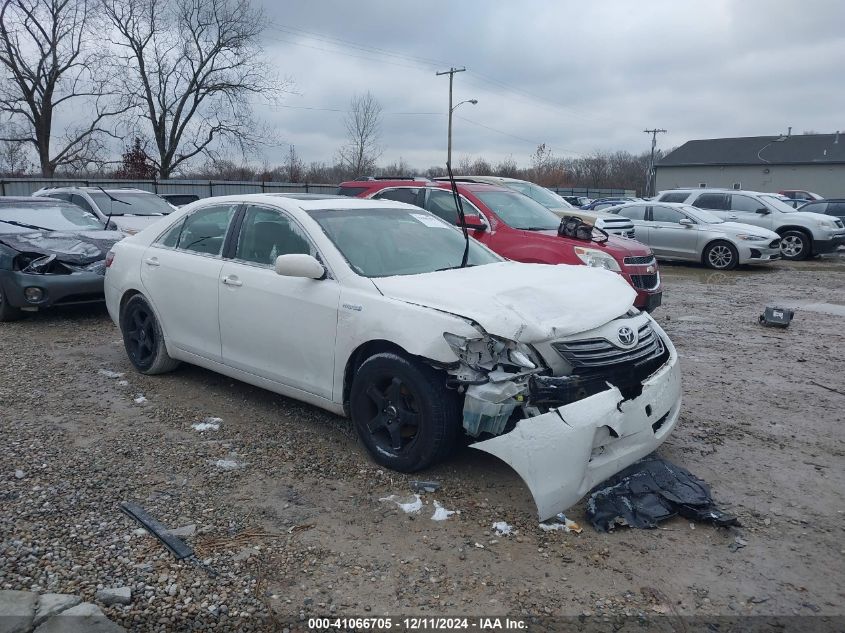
403	412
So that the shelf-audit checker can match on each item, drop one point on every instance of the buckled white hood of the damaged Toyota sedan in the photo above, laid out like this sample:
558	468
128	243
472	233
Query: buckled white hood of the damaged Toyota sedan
521	302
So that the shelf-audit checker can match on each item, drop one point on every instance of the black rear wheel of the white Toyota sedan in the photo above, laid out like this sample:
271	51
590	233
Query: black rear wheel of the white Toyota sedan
143	339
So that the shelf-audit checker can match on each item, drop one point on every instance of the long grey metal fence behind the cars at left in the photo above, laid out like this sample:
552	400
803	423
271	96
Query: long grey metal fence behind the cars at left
201	188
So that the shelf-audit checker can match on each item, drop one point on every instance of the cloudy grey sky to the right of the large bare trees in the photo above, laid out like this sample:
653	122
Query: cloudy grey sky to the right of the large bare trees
578	76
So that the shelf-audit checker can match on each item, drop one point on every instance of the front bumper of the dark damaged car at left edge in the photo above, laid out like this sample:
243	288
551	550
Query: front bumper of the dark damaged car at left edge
78	287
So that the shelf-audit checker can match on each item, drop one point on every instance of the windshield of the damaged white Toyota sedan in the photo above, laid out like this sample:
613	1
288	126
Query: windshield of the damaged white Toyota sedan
385	242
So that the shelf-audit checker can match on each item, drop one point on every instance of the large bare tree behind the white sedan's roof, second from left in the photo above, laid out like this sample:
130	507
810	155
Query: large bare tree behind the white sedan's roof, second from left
195	65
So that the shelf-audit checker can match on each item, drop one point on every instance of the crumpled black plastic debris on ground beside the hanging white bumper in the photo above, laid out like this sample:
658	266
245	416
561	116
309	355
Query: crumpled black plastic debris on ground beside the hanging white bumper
649	491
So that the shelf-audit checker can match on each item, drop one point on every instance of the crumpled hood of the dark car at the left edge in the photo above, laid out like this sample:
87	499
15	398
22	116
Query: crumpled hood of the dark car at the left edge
71	247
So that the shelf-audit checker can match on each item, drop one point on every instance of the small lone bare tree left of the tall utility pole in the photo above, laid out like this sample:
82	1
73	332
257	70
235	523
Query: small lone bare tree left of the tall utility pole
363	131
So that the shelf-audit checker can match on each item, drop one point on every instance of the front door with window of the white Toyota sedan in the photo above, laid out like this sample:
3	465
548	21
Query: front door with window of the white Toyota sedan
279	328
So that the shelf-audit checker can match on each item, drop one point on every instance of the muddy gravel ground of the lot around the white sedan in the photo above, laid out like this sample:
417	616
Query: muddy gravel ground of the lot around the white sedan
299	529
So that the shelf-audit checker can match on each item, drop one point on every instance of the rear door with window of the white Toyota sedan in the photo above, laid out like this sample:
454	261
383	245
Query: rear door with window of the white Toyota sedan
181	274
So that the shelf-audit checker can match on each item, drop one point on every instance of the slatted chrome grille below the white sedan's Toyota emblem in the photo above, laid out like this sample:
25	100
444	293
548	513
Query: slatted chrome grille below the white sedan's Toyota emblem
598	353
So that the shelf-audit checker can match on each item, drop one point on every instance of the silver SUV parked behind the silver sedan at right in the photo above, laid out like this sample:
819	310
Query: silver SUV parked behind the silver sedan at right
802	234
